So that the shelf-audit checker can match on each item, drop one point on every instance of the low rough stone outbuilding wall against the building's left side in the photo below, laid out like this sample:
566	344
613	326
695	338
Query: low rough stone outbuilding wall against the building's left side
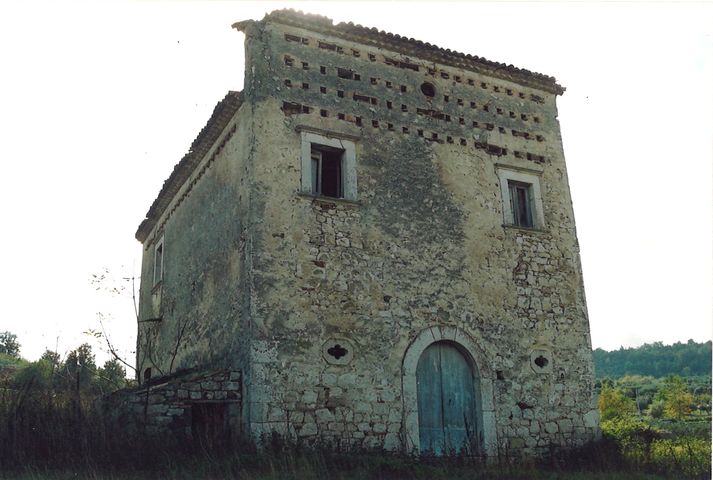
166	406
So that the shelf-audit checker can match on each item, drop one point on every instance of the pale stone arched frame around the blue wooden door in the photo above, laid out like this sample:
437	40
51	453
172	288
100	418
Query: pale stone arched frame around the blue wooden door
481	370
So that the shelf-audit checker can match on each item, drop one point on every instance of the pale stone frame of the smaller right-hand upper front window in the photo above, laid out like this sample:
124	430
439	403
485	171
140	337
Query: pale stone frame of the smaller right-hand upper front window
508	176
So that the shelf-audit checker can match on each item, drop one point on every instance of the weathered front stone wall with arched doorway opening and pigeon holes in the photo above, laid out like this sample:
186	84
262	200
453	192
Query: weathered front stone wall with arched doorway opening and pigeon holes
424	245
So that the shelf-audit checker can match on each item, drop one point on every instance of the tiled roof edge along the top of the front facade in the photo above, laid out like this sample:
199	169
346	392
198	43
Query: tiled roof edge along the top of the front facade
410	46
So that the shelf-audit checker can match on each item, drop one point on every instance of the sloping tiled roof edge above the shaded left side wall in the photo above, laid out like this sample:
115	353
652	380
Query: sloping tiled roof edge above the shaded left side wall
223	112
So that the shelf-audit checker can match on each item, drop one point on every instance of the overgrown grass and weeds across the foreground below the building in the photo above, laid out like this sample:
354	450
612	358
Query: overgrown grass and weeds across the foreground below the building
47	435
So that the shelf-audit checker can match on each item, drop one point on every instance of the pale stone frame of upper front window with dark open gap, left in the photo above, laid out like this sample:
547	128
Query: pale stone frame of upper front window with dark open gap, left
310	140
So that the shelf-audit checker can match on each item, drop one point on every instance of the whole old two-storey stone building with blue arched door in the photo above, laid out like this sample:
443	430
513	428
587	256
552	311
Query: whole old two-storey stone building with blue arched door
374	240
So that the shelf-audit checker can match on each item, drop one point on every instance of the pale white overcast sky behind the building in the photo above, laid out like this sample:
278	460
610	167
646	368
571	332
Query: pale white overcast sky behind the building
98	102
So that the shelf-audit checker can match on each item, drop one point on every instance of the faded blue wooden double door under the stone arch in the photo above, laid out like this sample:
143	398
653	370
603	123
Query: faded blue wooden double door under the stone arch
446	401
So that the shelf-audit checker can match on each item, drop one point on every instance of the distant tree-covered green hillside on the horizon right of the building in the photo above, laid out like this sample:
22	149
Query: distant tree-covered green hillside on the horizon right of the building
656	360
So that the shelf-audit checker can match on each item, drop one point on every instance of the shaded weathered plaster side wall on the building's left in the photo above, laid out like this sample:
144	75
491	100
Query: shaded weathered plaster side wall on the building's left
199	303
